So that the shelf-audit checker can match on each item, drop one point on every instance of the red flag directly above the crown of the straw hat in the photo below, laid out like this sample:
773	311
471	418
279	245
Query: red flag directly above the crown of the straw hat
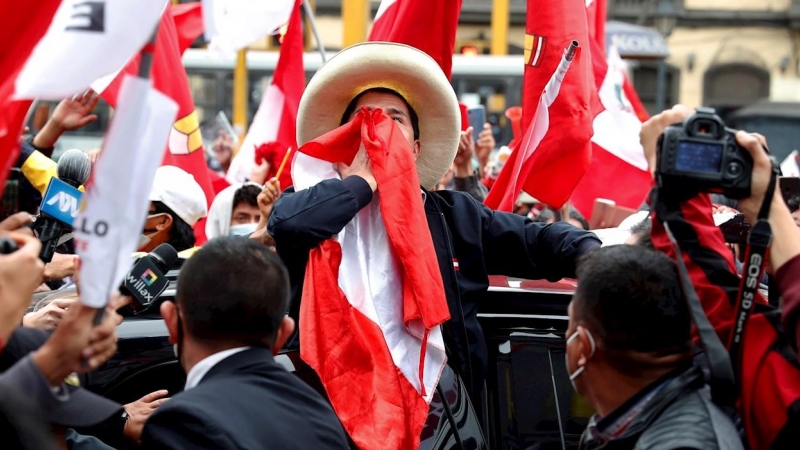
422	24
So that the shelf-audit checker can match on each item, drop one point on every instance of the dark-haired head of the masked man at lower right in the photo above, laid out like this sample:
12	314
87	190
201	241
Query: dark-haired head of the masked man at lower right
628	317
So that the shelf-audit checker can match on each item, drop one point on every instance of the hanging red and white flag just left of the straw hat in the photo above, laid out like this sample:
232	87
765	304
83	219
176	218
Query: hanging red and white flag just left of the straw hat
274	125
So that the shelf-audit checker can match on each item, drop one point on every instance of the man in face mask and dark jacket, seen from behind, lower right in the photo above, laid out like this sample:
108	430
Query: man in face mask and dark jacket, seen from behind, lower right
629	354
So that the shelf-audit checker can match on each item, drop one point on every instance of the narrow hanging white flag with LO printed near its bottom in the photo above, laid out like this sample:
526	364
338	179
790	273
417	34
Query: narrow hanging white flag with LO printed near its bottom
108	228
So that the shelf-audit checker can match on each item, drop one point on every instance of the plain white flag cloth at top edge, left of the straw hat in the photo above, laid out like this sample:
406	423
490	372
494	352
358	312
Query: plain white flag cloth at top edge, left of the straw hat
231	25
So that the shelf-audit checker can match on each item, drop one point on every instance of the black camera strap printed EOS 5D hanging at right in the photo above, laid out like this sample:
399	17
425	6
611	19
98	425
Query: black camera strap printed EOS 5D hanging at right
758	243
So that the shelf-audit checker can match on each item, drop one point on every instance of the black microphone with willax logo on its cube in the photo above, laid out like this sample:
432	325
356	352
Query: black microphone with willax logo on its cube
147	280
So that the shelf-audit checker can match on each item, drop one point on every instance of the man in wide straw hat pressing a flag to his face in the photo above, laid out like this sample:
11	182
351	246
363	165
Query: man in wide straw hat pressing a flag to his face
469	240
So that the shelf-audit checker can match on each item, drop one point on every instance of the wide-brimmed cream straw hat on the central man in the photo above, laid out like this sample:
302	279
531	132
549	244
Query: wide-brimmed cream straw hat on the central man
409	72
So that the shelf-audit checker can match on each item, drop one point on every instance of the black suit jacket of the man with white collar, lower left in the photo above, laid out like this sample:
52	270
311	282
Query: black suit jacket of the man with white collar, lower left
246	401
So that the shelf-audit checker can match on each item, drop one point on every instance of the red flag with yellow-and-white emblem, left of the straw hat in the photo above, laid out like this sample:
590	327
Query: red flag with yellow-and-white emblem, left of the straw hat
185	147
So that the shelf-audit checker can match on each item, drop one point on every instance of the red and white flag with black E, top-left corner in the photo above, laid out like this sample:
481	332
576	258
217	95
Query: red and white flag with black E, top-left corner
46	54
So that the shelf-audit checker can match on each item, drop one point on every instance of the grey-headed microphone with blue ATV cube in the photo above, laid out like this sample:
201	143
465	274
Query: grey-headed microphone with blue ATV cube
61	201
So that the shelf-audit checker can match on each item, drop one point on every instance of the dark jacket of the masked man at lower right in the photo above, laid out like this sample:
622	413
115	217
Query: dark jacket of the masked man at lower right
679	416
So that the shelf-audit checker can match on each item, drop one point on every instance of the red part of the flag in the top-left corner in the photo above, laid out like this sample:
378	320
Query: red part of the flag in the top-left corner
22	25
